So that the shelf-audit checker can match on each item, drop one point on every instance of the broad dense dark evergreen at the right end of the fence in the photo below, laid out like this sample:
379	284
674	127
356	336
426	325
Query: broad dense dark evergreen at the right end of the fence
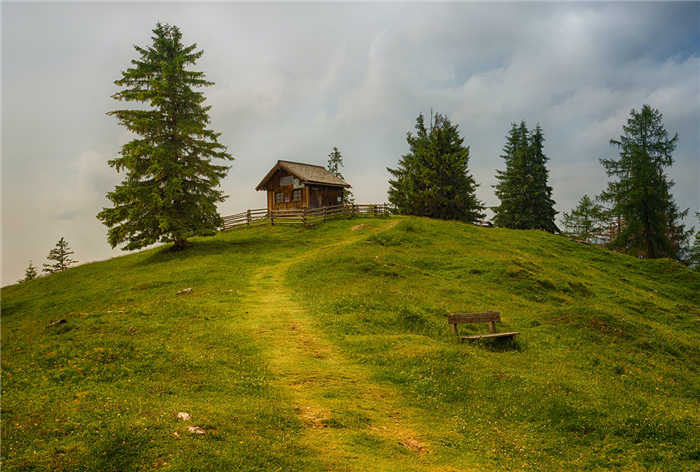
433	179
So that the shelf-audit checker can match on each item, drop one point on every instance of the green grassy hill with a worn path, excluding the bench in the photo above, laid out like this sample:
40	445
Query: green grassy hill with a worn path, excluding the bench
327	348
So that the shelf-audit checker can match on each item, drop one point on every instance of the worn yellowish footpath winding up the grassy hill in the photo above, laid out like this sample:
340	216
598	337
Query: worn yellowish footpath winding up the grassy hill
349	418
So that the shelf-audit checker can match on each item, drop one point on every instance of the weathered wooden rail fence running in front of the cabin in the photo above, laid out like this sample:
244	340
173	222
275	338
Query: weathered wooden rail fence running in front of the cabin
302	217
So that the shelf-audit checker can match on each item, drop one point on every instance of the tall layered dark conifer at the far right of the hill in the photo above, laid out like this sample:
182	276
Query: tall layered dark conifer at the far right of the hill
650	221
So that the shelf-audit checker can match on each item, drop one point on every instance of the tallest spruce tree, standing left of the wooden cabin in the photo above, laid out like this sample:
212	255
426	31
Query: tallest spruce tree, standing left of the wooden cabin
169	191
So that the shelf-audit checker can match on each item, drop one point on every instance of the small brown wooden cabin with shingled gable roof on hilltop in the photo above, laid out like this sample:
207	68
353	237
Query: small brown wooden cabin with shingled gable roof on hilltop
296	186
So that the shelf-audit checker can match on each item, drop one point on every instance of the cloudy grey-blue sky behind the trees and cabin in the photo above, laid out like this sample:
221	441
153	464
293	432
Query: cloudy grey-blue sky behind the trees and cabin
295	79
